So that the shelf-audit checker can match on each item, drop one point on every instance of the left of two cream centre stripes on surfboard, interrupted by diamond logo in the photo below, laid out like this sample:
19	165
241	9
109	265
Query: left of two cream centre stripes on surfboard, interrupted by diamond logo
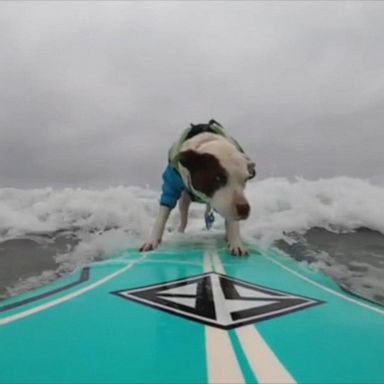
223	366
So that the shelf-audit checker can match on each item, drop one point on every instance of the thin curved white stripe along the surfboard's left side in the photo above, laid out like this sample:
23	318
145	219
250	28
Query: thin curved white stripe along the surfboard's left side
43	307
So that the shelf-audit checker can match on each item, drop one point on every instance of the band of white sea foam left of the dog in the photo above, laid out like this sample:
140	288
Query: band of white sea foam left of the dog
48	210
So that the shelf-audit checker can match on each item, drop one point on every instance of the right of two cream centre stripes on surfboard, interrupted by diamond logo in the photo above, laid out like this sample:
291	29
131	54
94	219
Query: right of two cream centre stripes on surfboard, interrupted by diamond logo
265	365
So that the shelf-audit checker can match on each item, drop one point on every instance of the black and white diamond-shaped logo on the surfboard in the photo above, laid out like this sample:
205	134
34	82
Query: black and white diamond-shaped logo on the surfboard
218	300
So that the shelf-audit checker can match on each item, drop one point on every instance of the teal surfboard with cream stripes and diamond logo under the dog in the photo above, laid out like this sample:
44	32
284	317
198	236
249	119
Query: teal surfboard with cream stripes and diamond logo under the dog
191	314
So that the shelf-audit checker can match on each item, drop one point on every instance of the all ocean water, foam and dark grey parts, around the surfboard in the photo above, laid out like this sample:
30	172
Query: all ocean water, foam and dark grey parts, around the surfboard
335	225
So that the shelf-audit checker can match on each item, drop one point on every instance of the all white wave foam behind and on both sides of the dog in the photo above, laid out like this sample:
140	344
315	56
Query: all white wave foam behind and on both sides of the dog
120	217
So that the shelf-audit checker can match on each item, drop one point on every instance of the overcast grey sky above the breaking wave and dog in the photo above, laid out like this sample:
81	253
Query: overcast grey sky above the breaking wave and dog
93	93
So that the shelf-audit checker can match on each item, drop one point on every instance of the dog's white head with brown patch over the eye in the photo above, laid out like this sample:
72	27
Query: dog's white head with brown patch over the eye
218	171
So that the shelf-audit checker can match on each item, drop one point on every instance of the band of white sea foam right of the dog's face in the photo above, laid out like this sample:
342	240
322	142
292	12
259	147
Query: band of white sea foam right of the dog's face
281	206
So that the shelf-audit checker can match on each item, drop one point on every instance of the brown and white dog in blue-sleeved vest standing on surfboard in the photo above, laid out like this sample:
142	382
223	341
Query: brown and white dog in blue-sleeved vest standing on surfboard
208	166
